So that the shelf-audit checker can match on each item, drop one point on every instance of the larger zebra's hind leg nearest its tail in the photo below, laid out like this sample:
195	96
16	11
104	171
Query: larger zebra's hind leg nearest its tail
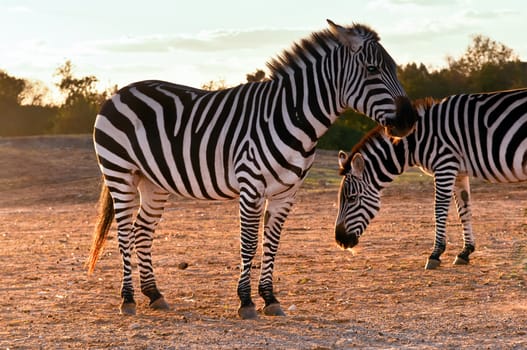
123	188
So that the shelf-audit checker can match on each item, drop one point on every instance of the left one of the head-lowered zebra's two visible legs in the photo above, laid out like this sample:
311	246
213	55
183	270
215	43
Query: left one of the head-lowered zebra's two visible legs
443	183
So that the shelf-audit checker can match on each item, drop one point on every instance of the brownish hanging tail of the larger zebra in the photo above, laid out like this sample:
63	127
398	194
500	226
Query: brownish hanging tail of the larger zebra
106	215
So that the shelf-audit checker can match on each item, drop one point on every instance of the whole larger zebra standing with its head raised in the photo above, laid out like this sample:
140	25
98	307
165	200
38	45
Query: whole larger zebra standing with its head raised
255	142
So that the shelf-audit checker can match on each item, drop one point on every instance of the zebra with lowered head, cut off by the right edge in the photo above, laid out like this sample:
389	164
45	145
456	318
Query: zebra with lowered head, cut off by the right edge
480	135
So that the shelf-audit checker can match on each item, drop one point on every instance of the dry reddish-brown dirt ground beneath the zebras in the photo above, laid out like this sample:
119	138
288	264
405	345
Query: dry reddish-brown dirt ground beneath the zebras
378	296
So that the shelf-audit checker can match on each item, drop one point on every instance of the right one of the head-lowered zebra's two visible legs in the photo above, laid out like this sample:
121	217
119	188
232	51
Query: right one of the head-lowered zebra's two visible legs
462	197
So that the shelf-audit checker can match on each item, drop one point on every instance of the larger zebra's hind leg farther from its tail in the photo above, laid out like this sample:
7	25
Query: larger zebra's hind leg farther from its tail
153	200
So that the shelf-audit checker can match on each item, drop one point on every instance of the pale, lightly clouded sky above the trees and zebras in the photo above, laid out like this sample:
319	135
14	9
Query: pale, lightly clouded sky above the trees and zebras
195	42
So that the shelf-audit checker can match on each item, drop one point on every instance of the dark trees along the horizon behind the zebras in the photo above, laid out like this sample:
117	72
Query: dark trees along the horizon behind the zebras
486	65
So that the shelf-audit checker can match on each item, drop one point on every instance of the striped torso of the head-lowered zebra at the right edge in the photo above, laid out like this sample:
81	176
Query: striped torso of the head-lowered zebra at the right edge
484	135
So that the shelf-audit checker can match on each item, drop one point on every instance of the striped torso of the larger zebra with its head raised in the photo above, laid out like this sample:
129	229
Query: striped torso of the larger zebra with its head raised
206	145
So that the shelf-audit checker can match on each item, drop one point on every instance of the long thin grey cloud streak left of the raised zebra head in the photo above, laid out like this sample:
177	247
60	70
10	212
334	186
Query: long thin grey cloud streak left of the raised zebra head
212	41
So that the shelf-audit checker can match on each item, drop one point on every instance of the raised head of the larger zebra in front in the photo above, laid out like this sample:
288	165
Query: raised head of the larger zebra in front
369	80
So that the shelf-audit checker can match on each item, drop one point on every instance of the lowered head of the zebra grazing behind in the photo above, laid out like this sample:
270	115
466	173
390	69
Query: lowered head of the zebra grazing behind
359	201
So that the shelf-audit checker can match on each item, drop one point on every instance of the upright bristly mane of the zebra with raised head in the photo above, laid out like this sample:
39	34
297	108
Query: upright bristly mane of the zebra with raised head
324	38
